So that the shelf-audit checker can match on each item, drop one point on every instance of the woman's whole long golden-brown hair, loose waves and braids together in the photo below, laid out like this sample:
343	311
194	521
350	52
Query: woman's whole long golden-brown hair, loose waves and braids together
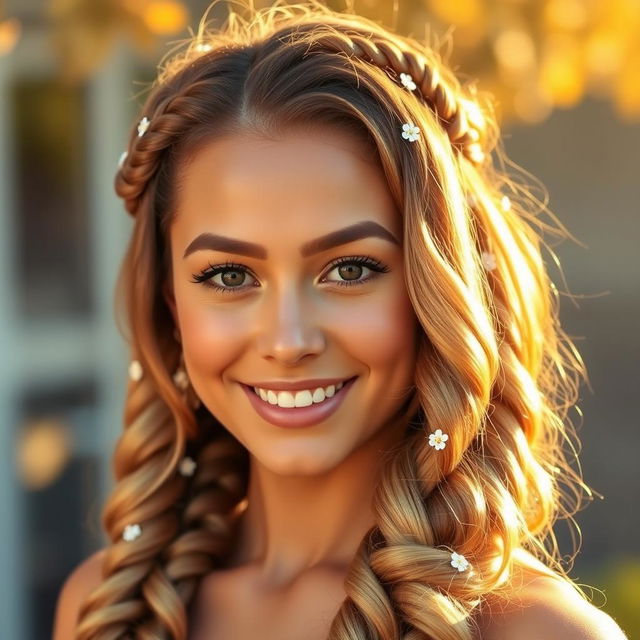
493	363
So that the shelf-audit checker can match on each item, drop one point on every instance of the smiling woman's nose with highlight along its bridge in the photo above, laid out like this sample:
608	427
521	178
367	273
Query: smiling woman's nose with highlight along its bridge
291	328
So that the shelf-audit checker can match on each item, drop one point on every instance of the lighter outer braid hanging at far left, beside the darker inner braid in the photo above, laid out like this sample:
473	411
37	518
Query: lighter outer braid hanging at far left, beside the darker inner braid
108	610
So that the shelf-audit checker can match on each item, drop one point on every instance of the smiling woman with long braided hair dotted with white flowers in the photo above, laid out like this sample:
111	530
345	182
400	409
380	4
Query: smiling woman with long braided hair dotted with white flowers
340	421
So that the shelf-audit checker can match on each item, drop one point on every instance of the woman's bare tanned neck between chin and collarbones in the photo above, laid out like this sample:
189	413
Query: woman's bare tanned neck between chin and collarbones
294	524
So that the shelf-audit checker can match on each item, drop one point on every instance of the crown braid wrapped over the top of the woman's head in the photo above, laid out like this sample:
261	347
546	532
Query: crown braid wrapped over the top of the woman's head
175	107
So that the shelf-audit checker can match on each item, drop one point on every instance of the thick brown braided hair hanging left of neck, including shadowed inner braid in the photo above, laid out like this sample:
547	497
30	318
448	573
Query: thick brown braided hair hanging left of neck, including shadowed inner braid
188	524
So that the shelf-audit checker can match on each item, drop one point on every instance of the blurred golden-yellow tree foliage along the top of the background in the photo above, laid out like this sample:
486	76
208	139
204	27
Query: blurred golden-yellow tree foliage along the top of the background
533	56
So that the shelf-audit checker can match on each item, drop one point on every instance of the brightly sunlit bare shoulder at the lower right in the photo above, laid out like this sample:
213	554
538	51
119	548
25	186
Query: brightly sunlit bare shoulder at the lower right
542	606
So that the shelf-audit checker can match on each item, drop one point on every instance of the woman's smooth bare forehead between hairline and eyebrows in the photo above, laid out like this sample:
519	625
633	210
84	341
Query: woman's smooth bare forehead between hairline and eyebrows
303	183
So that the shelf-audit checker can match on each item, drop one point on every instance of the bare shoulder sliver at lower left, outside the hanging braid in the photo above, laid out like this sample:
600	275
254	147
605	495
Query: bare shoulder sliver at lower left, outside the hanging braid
80	582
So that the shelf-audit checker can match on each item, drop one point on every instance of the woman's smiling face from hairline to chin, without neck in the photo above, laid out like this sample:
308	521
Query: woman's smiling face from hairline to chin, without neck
296	303
